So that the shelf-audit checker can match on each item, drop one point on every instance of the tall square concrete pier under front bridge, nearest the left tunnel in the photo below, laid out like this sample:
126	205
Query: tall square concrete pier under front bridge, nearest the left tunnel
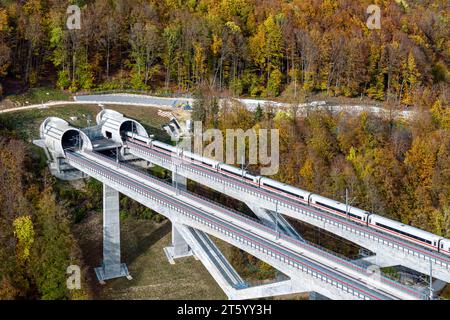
111	267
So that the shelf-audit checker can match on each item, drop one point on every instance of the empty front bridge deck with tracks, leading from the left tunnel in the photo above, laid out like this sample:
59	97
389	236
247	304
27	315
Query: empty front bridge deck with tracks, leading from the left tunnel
237	231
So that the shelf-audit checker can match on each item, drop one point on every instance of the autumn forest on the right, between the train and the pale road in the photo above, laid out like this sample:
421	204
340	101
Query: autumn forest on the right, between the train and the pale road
394	167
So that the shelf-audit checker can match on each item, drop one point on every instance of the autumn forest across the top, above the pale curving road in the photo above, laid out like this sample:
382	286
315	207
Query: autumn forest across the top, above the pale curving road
260	48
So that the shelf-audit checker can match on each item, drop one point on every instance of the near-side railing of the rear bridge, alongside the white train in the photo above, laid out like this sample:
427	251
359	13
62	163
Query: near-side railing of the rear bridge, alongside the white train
374	235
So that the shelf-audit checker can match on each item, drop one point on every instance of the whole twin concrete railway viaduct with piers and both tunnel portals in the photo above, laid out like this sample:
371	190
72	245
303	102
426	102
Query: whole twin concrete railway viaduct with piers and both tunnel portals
72	155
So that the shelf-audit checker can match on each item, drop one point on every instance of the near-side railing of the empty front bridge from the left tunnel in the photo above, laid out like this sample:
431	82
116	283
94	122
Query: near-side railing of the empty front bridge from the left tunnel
303	266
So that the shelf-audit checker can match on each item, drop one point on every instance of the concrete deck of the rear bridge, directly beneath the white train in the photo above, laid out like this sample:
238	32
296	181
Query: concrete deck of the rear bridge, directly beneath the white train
393	249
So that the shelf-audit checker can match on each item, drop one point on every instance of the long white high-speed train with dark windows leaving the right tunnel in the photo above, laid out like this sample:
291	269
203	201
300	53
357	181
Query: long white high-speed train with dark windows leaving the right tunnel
371	220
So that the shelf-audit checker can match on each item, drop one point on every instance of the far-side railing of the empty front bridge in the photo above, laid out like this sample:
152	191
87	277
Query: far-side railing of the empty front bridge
339	259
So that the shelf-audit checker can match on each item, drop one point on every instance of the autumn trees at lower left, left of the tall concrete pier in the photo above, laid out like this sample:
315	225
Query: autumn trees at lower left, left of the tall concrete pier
36	242
